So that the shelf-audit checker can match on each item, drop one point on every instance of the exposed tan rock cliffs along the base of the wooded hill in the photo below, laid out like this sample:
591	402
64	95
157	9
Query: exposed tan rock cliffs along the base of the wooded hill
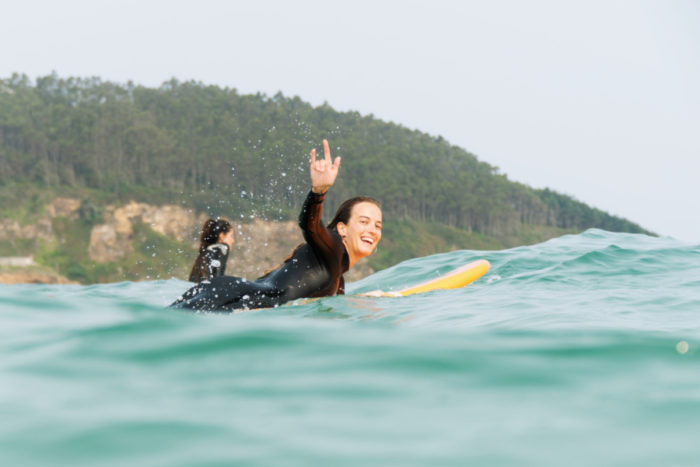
114	241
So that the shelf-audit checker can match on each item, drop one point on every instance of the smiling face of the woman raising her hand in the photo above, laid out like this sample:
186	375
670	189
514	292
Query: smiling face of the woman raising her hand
363	231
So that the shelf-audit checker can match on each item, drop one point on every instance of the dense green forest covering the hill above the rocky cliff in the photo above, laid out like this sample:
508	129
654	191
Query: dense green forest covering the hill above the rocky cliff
215	149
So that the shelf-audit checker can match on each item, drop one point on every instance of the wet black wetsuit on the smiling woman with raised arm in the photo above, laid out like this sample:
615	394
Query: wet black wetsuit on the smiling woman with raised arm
315	269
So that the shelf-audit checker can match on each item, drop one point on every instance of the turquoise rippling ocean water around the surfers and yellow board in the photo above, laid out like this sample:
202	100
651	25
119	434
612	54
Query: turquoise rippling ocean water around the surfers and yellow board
582	350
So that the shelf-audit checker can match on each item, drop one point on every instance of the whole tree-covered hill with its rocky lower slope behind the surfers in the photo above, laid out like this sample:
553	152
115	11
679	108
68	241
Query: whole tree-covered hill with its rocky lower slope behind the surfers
106	150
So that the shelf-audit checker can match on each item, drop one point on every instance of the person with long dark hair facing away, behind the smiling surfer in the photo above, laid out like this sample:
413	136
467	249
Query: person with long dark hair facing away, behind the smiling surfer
215	242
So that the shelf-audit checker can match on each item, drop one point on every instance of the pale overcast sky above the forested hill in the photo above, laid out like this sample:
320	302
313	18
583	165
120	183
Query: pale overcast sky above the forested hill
596	99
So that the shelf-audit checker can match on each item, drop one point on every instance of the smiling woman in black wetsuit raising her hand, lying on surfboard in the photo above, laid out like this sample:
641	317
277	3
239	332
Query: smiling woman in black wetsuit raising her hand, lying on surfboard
315	268
